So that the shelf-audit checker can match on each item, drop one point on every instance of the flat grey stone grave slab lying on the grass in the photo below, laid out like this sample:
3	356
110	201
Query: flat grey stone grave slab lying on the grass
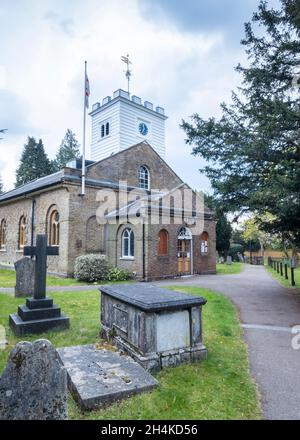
99	376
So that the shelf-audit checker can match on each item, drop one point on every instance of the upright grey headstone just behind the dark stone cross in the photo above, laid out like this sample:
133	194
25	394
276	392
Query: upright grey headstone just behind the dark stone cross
24	277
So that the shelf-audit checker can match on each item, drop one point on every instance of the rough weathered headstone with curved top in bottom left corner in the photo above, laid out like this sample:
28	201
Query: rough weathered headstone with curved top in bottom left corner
34	384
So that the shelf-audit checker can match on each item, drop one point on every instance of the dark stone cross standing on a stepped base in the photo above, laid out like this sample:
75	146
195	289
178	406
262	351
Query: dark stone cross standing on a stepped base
39	314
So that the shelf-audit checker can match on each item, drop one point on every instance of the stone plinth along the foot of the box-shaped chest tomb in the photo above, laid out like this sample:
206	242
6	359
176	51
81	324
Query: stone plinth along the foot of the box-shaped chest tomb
154	362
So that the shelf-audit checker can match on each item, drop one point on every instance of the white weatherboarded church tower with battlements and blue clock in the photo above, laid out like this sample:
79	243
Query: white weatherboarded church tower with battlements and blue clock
120	122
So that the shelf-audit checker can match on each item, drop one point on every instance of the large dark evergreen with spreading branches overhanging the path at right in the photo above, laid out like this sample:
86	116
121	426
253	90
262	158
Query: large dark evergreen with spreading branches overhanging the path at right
253	150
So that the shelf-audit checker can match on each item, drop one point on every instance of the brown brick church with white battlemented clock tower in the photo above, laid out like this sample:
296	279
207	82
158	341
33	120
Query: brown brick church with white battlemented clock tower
135	210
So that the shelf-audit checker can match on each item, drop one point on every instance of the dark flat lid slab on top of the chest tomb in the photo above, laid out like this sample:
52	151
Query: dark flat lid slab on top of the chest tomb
151	298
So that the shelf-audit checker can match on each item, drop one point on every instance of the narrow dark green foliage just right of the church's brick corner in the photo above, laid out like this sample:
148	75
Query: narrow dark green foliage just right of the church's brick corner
223	226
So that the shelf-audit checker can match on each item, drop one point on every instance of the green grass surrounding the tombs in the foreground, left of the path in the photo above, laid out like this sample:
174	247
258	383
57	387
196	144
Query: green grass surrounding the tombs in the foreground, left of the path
217	388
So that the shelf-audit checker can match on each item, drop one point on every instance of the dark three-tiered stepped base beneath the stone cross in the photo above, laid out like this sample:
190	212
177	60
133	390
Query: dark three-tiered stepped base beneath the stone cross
38	316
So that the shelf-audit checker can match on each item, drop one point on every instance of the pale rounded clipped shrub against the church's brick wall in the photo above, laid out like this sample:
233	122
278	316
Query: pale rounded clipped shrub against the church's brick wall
91	268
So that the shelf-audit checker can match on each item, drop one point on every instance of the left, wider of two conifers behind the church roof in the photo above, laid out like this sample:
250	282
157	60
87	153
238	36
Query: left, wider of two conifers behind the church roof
34	162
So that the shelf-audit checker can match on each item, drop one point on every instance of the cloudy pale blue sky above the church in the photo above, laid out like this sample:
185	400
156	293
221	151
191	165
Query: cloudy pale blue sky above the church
183	53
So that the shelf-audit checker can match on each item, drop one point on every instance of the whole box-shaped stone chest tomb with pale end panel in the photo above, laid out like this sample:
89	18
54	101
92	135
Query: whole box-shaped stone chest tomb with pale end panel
157	327
